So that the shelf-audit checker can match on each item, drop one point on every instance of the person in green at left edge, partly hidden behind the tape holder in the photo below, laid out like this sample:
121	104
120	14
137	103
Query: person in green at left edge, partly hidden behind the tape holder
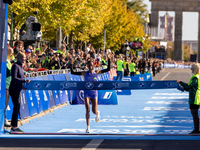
8	81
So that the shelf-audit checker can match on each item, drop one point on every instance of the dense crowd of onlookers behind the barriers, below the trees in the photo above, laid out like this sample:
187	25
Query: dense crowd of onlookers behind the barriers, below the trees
45	58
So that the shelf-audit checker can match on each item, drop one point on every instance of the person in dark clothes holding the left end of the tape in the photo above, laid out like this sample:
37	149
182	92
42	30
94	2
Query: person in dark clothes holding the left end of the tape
15	88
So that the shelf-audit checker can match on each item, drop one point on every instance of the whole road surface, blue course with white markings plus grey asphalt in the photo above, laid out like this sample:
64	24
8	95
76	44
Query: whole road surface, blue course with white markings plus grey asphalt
147	120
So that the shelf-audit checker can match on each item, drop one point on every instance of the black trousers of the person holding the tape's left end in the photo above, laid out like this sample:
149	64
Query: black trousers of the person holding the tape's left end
16	99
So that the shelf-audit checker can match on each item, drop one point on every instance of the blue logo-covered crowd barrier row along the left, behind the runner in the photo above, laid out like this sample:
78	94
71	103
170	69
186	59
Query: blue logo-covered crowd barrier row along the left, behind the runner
36	101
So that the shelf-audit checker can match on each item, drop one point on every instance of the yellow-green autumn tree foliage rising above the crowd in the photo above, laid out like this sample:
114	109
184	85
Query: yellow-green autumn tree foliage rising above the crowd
84	20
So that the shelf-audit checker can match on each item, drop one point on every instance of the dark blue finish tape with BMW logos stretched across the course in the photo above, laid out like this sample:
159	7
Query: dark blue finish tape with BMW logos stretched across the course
100	85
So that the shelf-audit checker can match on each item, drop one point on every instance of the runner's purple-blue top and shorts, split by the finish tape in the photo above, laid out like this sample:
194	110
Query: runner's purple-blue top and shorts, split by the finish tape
90	77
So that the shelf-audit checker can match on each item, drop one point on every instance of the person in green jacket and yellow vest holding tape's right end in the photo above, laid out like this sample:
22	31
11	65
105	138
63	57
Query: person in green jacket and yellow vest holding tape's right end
194	95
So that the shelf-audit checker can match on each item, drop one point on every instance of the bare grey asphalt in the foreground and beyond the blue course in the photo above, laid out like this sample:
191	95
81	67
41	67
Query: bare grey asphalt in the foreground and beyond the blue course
105	144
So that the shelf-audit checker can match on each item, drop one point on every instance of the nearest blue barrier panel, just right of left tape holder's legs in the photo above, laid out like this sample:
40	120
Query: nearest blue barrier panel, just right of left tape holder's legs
24	111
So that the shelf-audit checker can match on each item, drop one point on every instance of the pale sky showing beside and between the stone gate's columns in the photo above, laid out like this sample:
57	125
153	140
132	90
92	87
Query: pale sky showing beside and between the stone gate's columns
190	23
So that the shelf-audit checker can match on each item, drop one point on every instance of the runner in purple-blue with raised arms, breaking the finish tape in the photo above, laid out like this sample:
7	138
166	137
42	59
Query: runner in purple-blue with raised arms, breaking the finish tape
91	95
